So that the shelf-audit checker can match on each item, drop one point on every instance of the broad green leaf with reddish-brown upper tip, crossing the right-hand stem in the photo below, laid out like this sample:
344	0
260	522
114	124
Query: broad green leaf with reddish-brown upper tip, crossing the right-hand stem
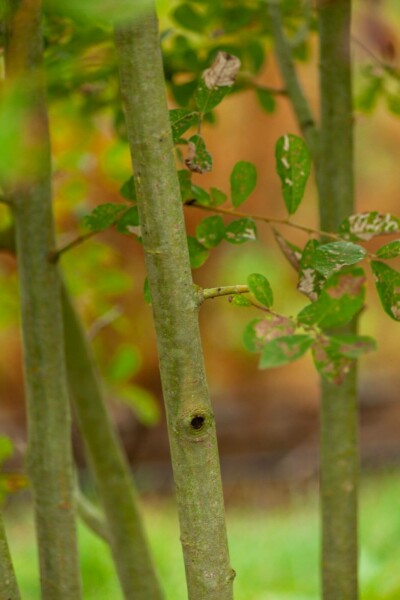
340	299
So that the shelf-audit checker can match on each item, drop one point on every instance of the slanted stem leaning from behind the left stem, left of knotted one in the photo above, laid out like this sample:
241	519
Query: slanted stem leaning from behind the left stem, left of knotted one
111	471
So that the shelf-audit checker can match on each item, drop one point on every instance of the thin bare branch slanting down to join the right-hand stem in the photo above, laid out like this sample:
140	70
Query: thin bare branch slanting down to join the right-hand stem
299	102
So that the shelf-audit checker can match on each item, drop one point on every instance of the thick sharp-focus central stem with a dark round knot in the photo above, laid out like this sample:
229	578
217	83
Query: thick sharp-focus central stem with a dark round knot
190	418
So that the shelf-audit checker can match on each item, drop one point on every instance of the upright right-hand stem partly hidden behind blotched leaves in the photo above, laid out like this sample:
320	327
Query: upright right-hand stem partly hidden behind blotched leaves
339	423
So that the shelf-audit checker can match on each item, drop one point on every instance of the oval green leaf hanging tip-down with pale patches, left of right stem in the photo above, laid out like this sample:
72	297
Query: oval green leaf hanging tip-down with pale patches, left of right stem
293	165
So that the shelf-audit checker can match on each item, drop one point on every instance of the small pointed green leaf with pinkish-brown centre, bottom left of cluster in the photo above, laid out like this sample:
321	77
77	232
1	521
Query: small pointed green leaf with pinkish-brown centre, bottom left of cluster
284	350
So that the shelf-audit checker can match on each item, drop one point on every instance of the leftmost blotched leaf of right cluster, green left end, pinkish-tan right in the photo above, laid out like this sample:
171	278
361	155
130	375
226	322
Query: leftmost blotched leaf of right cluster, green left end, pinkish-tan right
261	331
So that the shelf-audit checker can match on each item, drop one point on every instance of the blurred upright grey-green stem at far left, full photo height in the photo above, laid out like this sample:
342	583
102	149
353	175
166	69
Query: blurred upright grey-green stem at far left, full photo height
49	461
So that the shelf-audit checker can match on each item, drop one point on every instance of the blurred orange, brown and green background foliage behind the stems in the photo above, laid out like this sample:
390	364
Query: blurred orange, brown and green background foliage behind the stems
267	421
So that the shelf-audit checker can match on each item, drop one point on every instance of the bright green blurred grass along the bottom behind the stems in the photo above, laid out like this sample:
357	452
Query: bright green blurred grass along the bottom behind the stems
274	551
